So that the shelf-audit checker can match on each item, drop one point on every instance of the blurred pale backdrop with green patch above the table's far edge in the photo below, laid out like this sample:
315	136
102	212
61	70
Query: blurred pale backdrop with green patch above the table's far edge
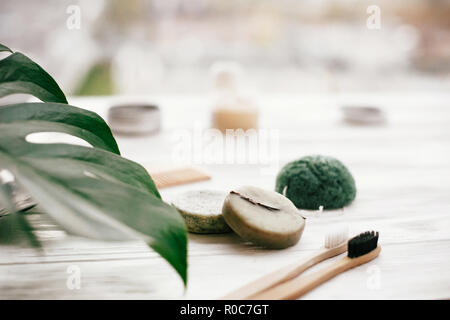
283	46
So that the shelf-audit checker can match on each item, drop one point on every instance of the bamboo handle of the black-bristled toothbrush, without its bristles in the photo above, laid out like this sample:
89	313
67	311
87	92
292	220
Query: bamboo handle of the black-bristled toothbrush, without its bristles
299	286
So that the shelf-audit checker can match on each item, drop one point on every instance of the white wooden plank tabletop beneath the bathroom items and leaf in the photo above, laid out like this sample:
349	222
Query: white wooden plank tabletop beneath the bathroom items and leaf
402	171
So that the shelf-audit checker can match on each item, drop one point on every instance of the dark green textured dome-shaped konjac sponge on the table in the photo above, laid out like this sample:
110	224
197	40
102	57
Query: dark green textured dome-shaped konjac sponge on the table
315	181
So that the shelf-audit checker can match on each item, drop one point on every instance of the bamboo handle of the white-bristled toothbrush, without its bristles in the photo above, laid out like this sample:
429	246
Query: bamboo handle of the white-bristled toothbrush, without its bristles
249	290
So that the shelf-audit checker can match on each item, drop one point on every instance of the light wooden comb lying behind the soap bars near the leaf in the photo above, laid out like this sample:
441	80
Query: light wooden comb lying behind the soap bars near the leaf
174	177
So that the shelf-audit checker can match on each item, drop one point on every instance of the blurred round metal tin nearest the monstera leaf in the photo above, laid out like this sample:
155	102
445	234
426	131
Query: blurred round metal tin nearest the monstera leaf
134	119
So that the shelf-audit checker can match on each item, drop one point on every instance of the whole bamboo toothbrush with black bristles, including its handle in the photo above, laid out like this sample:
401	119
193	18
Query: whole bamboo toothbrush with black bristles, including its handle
361	249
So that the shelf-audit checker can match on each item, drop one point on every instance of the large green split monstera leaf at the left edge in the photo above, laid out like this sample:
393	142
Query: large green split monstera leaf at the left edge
88	191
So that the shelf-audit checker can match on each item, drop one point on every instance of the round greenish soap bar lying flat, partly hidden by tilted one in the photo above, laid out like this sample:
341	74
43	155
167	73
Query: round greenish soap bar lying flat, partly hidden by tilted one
202	211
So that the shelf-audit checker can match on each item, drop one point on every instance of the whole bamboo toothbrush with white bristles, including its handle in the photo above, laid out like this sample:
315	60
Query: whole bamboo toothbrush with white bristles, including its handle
335	243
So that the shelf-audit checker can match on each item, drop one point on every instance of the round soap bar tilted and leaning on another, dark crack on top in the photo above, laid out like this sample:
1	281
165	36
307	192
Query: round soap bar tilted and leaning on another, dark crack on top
263	217
